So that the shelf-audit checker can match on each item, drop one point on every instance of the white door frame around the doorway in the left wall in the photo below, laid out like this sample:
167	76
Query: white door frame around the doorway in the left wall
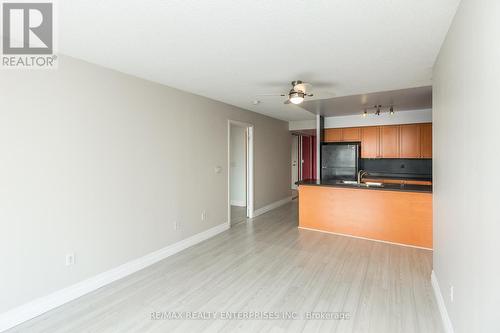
250	172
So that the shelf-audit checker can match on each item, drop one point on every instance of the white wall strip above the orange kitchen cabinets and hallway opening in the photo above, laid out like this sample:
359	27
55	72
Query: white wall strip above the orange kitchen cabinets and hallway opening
401	117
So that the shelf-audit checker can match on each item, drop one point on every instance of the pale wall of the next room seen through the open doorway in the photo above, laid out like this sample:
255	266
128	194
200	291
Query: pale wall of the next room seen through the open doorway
238	166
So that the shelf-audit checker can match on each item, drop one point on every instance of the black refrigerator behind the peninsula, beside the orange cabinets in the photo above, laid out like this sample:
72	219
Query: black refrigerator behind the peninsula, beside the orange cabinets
339	161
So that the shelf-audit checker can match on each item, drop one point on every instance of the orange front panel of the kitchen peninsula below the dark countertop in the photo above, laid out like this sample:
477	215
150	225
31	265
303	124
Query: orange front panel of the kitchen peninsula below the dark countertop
391	216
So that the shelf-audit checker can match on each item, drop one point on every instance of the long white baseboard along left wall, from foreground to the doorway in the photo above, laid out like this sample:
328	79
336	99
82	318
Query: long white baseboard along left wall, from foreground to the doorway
41	305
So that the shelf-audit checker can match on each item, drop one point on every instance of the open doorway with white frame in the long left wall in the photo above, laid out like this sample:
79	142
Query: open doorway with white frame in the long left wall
240	171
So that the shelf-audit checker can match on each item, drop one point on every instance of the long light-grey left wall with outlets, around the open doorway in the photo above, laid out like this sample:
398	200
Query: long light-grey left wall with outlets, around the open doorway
102	164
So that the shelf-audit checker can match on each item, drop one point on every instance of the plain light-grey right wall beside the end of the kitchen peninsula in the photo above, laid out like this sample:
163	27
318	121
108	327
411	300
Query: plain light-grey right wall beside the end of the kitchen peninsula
466	154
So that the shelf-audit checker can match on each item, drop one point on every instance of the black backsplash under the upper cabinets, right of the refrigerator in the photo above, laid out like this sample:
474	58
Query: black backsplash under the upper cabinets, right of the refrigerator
398	167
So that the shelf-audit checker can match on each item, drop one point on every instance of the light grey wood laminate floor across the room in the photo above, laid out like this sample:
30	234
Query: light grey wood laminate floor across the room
267	264
